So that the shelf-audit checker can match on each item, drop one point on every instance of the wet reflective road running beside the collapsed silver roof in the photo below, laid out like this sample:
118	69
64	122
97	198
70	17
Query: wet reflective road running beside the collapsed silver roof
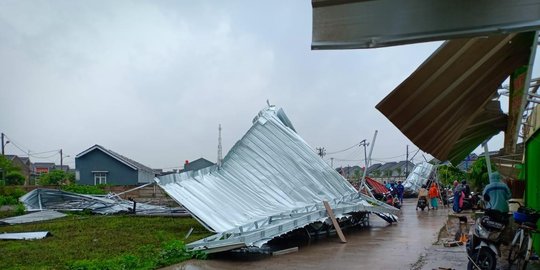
382	246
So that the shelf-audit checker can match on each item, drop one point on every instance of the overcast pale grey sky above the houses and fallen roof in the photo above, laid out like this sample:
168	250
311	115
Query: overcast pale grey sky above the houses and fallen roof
153	79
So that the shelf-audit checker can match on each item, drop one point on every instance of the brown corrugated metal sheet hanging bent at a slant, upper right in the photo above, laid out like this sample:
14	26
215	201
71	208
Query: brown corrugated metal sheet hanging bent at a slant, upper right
445	107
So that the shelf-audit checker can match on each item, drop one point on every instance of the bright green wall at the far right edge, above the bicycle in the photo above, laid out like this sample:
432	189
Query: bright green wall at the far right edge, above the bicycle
532	167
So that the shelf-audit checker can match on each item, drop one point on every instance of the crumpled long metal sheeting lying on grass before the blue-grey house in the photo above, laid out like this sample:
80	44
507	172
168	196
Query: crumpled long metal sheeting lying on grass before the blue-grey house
53	199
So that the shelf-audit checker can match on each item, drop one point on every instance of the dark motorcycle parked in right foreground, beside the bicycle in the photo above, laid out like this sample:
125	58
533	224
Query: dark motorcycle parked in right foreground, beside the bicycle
484	245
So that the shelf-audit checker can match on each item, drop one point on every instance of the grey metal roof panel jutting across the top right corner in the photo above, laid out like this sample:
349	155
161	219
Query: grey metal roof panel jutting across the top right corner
350	24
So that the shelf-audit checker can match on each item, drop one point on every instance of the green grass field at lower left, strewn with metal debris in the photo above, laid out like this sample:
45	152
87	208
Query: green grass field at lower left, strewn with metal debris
91	238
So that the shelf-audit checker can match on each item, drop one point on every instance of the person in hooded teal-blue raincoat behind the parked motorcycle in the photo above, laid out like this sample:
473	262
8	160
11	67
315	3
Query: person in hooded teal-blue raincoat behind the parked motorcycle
498	192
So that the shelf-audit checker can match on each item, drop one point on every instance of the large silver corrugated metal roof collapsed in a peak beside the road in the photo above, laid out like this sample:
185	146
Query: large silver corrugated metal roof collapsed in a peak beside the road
271	182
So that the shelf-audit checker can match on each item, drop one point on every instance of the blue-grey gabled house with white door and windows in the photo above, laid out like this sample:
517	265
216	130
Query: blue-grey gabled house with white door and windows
98	165
